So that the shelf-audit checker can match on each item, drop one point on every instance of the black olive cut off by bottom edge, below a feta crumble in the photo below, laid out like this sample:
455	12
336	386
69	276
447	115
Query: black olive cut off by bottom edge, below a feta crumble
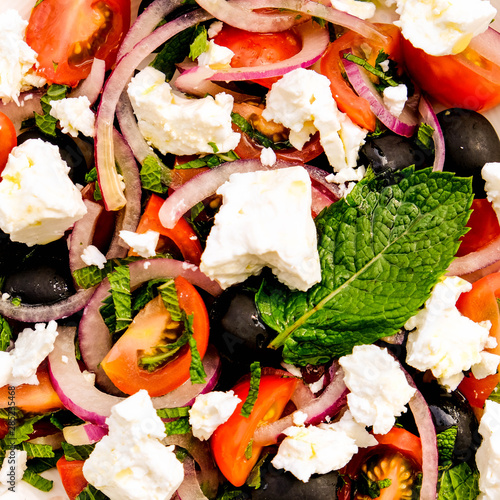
276	484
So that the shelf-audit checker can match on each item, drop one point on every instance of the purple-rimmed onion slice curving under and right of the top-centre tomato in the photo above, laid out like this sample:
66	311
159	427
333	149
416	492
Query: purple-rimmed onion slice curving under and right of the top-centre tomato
315	39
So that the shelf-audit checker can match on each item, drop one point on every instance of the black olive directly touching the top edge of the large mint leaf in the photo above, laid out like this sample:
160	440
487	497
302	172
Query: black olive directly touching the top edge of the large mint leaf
391	152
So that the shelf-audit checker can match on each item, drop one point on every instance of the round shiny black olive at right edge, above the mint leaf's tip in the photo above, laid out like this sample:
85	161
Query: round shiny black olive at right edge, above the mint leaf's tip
470	142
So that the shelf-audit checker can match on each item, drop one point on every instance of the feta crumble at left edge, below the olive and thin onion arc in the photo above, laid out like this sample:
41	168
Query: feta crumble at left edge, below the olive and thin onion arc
31	347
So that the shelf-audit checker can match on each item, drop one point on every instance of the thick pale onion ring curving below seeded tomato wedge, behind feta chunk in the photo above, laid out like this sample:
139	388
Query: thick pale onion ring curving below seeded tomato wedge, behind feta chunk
89	403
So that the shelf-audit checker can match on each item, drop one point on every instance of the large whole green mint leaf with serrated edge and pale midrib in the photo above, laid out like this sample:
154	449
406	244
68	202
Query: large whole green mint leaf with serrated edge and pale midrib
382	250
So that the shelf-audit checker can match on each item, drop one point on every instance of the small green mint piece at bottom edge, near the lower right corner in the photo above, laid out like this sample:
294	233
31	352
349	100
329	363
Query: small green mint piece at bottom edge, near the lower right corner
459	483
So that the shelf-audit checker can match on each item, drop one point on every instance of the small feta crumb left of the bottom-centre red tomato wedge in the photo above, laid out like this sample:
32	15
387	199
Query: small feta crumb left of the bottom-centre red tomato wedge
211	410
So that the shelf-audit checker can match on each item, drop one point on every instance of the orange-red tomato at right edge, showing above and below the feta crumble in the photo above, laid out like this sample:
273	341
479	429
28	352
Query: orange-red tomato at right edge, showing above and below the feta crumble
480	304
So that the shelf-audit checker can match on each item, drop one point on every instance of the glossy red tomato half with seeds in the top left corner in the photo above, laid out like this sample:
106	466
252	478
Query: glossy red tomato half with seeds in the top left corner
68	34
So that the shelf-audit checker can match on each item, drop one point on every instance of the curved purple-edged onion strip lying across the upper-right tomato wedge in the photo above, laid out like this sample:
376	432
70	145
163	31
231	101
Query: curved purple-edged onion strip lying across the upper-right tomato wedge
404	125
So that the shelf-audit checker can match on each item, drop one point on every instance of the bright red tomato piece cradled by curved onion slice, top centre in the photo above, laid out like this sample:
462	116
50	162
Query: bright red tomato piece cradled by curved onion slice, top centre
258	49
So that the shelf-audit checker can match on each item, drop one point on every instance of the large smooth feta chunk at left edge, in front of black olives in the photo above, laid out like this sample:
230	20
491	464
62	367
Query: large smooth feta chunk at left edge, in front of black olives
38	201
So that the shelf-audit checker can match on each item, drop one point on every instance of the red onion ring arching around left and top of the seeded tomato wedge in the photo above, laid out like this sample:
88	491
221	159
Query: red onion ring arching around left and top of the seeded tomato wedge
95	341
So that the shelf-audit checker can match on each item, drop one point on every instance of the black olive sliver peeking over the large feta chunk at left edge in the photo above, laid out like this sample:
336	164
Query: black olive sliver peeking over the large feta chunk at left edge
69	150
